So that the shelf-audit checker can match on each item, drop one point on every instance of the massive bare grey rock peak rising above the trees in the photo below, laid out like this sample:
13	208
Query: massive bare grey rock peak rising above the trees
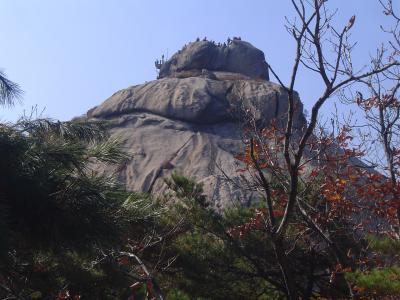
188	120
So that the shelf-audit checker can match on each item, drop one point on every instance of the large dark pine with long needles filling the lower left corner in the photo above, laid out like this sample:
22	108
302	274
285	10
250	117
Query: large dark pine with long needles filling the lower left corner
63	222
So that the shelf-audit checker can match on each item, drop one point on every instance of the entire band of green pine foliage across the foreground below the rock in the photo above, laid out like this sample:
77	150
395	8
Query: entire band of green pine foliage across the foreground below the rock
68	229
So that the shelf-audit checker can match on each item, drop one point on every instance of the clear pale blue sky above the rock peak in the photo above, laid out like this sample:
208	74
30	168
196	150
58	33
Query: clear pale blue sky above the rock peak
70	55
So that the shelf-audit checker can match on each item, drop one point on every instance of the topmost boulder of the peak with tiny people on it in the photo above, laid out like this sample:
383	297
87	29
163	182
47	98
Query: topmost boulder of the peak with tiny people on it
237	57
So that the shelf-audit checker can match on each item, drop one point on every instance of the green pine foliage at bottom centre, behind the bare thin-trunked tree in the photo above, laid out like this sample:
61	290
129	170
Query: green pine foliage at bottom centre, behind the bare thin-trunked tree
229	255
